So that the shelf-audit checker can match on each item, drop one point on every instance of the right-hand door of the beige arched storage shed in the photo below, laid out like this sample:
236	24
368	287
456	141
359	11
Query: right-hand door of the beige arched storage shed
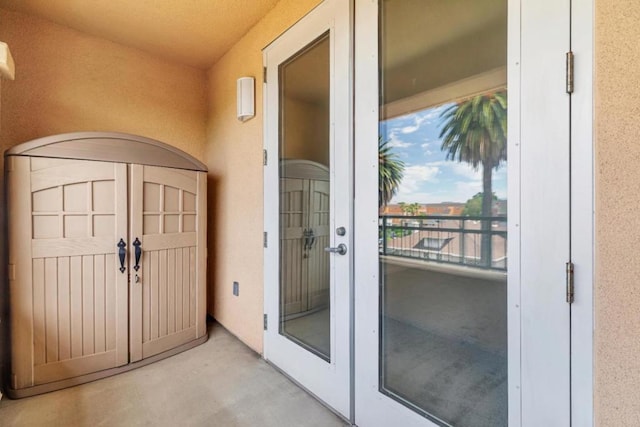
168	214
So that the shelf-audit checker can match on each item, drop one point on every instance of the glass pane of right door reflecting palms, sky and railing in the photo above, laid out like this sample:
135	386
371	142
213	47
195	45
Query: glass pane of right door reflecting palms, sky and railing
442	209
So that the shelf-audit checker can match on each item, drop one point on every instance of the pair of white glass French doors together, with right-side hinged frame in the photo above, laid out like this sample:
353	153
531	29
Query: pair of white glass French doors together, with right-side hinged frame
458	304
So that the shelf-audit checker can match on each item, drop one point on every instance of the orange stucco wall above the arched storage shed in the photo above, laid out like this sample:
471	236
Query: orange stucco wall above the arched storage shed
67	81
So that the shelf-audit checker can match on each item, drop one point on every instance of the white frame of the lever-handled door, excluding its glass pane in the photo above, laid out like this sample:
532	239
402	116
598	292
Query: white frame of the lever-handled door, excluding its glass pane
330	382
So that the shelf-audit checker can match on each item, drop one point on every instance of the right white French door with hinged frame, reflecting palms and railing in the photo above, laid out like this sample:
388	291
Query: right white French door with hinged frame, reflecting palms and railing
461	315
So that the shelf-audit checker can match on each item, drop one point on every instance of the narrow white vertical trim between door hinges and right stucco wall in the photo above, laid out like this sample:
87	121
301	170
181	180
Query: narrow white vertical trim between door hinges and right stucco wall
582	213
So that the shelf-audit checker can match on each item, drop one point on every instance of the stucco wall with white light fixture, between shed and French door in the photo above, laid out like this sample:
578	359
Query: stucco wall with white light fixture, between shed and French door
234	158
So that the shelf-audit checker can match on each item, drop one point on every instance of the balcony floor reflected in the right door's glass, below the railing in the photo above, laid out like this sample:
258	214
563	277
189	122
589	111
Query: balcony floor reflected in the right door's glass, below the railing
446	340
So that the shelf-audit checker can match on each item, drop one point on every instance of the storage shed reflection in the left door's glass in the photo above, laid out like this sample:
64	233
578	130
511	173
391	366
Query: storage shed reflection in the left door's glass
304	225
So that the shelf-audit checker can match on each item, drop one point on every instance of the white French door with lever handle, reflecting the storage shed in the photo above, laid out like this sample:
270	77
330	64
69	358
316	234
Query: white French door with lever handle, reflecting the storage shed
308	203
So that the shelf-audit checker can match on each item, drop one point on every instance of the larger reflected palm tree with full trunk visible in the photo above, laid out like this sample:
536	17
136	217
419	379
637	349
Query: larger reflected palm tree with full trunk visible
475	132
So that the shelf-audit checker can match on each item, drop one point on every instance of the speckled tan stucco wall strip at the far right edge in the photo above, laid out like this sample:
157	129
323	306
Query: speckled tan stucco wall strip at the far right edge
617	169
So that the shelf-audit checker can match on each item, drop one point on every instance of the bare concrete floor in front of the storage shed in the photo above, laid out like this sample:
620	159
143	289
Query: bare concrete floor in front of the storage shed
219	383
